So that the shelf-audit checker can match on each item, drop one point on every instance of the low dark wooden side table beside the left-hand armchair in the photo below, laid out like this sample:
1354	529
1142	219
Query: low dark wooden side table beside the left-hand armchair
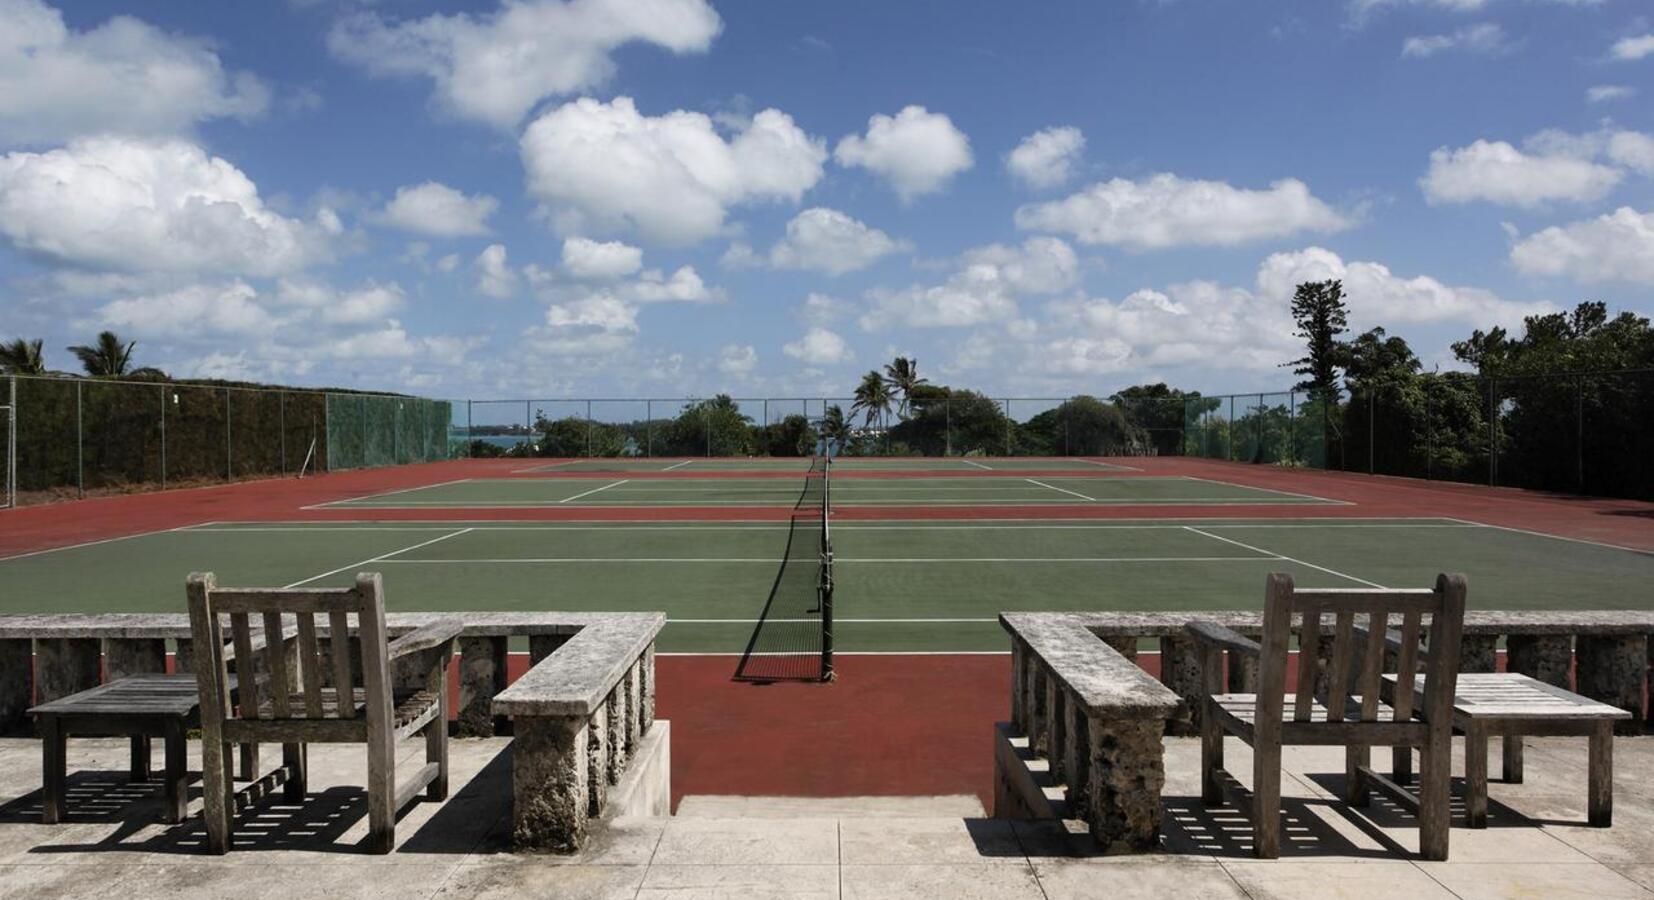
141	707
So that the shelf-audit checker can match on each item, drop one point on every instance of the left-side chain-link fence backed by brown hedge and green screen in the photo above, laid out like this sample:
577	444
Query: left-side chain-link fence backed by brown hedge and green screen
72	438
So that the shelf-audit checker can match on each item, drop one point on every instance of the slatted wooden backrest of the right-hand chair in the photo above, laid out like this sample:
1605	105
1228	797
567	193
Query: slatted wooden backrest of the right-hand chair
1357	661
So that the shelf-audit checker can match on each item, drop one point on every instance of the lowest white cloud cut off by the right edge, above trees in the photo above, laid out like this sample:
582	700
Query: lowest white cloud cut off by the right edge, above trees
1613	247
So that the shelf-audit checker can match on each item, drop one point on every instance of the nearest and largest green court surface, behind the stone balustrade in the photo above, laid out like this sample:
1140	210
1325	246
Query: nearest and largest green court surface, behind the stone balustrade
902	586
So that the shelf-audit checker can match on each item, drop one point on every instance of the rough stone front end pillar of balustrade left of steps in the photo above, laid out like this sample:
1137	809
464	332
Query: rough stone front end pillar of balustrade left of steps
550	783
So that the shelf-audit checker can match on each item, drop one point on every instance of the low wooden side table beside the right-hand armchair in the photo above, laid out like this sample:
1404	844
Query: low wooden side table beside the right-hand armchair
1513	707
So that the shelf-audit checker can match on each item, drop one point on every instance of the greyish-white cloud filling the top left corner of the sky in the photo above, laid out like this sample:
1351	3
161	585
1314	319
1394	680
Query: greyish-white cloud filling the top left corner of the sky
122	77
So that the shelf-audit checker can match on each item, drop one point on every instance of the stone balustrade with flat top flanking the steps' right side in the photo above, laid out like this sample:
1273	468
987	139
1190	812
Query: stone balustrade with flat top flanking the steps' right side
1096	720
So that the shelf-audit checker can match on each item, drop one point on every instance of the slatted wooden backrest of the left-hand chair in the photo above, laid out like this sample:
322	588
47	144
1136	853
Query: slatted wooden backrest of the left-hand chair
294	682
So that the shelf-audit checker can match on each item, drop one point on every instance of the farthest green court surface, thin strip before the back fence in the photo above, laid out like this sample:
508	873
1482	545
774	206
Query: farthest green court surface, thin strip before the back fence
846	464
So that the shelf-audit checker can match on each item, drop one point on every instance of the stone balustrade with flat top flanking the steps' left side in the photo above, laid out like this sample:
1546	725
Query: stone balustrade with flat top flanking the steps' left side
585	735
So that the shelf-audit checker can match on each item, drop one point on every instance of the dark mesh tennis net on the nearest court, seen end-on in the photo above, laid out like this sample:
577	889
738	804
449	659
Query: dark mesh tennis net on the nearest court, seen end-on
793	638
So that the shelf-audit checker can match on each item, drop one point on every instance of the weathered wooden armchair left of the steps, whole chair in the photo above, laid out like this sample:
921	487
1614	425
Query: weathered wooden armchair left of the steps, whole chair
295	701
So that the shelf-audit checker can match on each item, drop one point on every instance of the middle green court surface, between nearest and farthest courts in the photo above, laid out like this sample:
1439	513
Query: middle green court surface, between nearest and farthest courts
482	494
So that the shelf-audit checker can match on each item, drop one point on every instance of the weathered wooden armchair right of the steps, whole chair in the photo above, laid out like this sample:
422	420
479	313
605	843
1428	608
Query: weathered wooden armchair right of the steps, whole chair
1349	711
